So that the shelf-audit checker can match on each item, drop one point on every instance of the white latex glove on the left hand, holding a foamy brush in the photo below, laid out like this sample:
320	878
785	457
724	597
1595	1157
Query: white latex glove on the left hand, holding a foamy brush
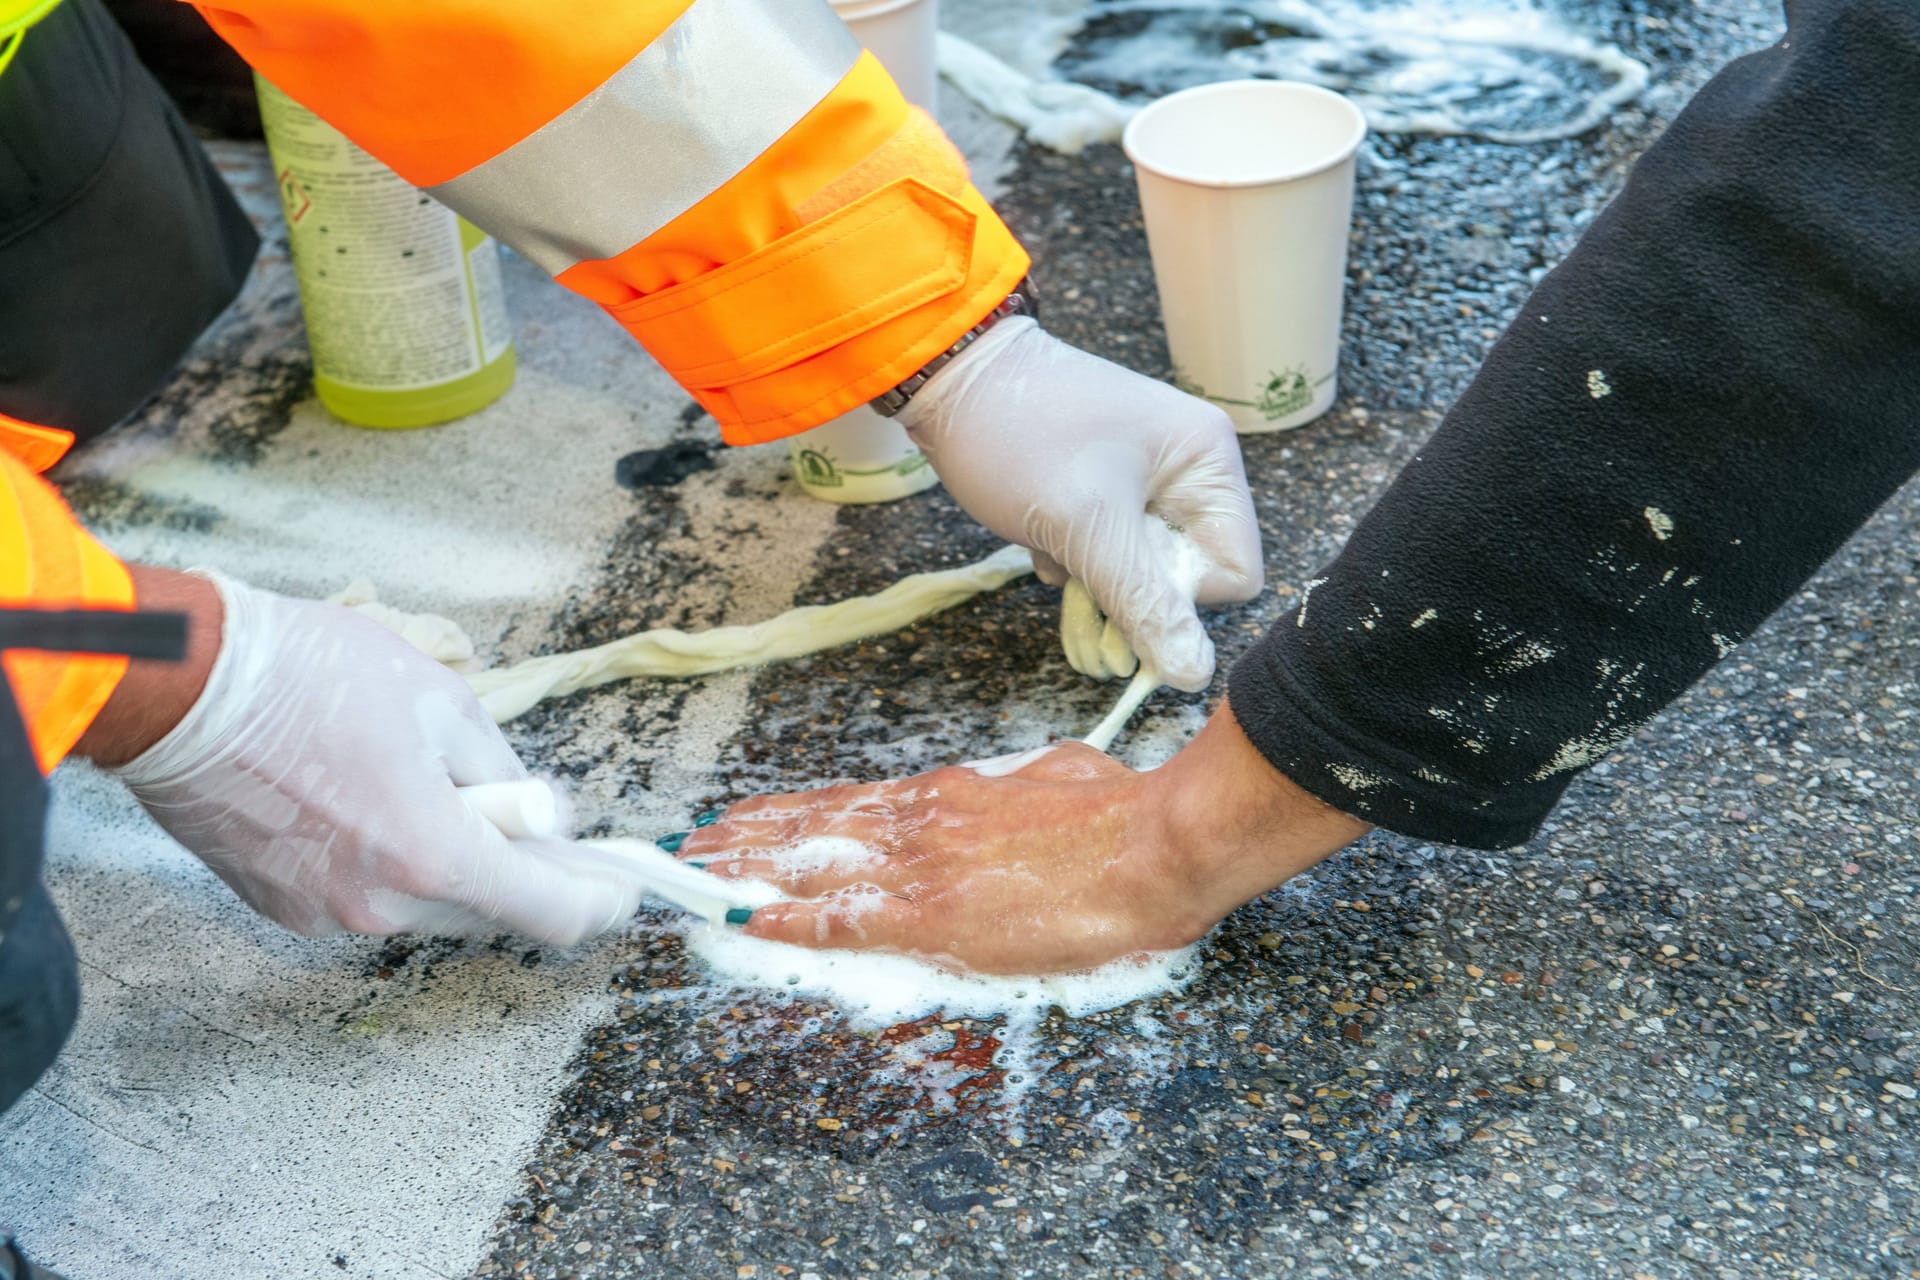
318	774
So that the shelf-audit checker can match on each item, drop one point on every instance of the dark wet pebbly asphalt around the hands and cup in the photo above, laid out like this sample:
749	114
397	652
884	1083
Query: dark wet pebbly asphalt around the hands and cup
1669	1037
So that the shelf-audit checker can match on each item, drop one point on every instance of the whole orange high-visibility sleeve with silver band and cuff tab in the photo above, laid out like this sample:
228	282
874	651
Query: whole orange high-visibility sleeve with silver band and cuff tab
734	181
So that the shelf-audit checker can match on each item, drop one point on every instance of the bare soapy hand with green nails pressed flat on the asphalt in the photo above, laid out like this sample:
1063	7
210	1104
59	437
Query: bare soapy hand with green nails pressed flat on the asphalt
1067	863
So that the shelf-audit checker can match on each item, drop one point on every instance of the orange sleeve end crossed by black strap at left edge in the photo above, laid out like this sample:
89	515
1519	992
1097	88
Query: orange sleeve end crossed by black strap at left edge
47	561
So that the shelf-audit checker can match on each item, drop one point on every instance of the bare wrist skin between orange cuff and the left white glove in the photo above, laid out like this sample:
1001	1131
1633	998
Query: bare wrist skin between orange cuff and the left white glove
153	698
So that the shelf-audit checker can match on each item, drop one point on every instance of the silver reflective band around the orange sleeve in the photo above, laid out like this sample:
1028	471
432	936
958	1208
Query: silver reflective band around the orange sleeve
663	133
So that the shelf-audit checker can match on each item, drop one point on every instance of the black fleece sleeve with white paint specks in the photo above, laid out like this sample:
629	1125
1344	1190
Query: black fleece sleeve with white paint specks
1691	415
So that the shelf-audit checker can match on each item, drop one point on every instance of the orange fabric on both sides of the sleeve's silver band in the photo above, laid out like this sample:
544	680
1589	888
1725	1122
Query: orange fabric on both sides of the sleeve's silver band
489	74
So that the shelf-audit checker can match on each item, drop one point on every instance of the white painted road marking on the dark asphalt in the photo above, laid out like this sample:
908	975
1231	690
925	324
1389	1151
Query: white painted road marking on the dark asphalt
243	1102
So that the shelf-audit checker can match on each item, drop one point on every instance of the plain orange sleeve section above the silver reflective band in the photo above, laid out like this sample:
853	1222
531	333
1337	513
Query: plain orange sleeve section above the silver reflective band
437	87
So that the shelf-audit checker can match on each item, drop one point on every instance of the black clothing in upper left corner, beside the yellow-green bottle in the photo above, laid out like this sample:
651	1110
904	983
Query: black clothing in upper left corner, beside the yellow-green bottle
118	239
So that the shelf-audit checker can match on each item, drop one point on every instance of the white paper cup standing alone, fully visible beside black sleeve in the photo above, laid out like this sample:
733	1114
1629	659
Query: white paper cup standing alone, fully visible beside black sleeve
1249	195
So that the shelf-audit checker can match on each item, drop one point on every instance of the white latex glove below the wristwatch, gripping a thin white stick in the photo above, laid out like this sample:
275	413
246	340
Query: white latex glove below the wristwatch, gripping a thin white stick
1092	465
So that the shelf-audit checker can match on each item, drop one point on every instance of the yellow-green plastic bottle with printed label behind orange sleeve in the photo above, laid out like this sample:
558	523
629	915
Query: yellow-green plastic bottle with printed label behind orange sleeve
406	312
